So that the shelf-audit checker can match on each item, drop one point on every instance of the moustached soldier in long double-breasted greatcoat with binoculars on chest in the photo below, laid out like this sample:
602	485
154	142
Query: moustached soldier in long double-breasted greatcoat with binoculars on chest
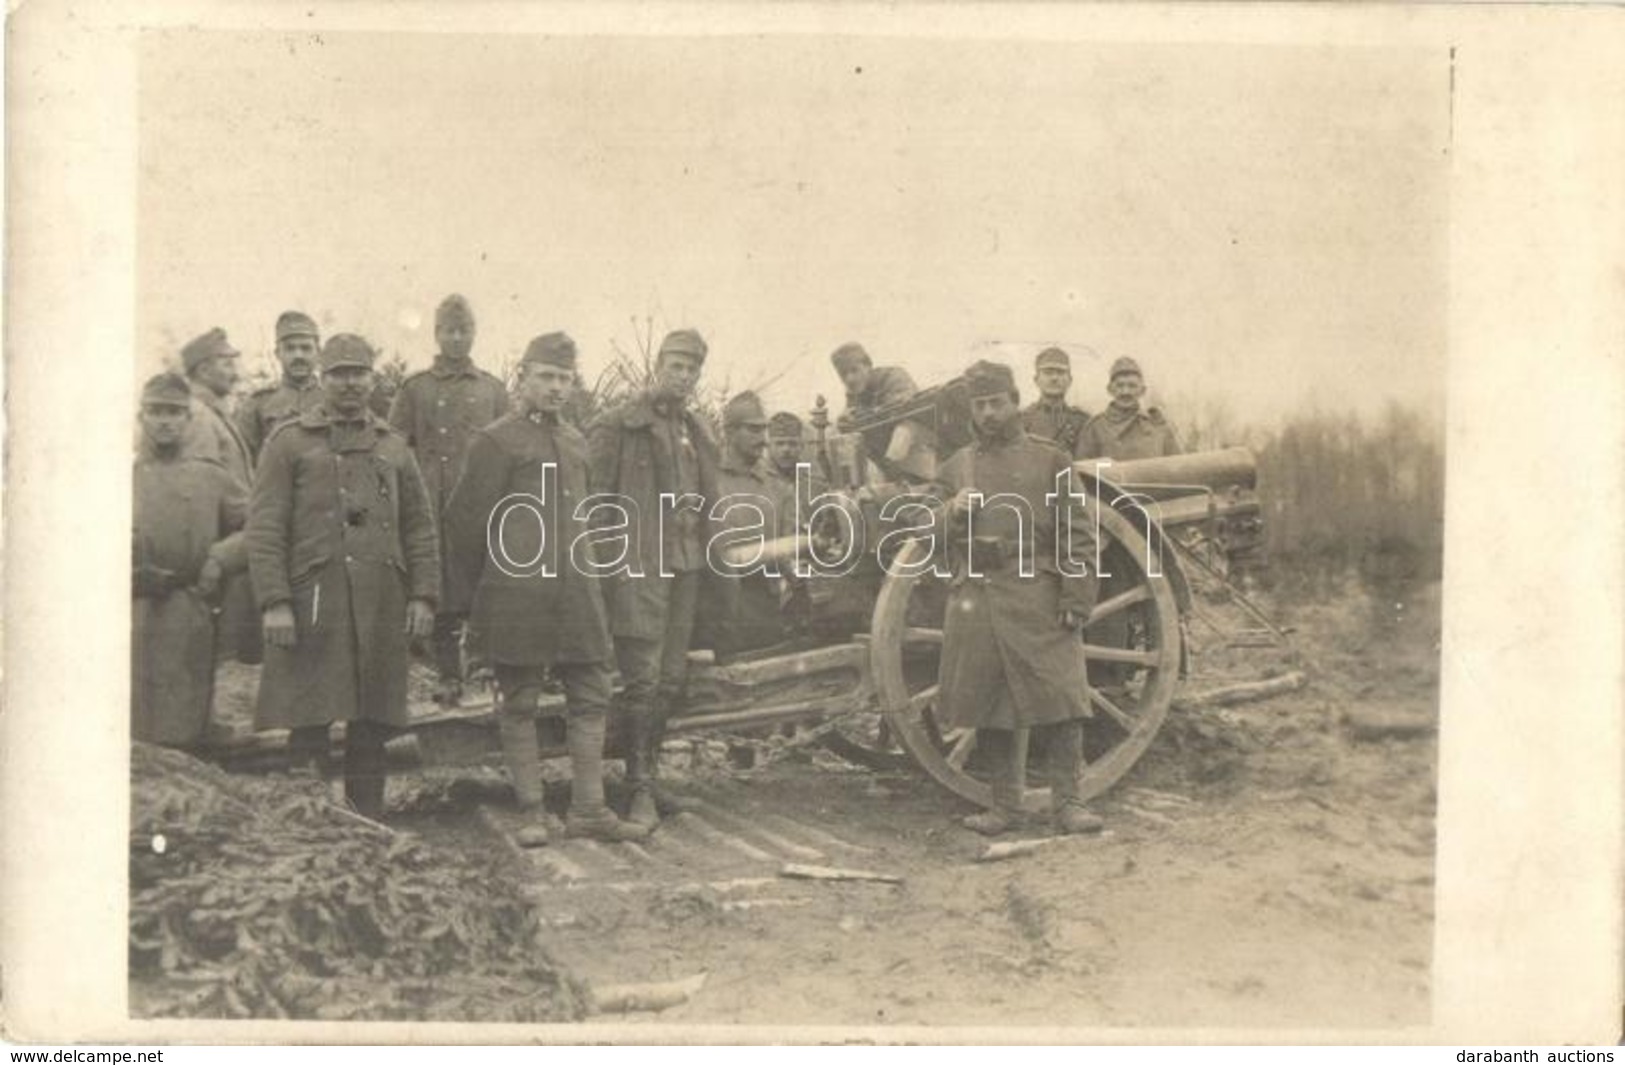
347	568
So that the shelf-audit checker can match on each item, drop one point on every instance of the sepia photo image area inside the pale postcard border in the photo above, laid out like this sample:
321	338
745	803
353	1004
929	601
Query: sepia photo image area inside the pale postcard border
787	531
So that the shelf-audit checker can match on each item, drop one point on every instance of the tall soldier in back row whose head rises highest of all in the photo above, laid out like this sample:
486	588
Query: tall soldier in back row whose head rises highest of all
438	411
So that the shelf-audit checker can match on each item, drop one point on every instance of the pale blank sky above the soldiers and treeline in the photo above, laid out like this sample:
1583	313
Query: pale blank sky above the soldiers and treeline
1265	227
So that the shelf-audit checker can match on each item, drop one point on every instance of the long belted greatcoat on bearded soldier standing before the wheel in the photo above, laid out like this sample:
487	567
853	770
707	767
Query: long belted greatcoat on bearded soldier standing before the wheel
1007	659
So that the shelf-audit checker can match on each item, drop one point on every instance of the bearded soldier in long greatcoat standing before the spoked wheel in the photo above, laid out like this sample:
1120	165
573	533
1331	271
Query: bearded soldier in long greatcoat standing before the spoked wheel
1013	656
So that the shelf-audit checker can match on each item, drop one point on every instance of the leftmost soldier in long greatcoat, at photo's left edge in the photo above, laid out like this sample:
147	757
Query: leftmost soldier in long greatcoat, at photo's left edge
189	511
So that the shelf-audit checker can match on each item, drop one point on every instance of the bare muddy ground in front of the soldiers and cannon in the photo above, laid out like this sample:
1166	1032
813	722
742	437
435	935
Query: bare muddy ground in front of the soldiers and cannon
1260	867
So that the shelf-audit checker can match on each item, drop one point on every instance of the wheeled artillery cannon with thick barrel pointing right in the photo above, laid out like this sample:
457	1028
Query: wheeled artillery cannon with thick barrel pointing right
862	664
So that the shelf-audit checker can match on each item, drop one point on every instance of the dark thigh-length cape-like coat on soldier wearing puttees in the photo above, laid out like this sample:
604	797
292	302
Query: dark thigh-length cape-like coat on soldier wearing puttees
524	617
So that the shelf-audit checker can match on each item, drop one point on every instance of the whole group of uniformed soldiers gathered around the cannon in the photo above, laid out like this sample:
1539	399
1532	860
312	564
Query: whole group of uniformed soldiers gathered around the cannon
324	541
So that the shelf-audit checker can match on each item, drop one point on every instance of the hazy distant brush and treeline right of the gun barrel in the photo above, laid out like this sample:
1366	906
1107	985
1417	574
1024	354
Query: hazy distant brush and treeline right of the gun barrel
1343	495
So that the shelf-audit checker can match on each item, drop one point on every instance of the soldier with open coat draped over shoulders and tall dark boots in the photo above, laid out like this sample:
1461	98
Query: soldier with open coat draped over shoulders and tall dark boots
657	456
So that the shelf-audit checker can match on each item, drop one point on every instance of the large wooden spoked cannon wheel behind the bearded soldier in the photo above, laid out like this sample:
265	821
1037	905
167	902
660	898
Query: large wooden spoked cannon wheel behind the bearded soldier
1133	643
